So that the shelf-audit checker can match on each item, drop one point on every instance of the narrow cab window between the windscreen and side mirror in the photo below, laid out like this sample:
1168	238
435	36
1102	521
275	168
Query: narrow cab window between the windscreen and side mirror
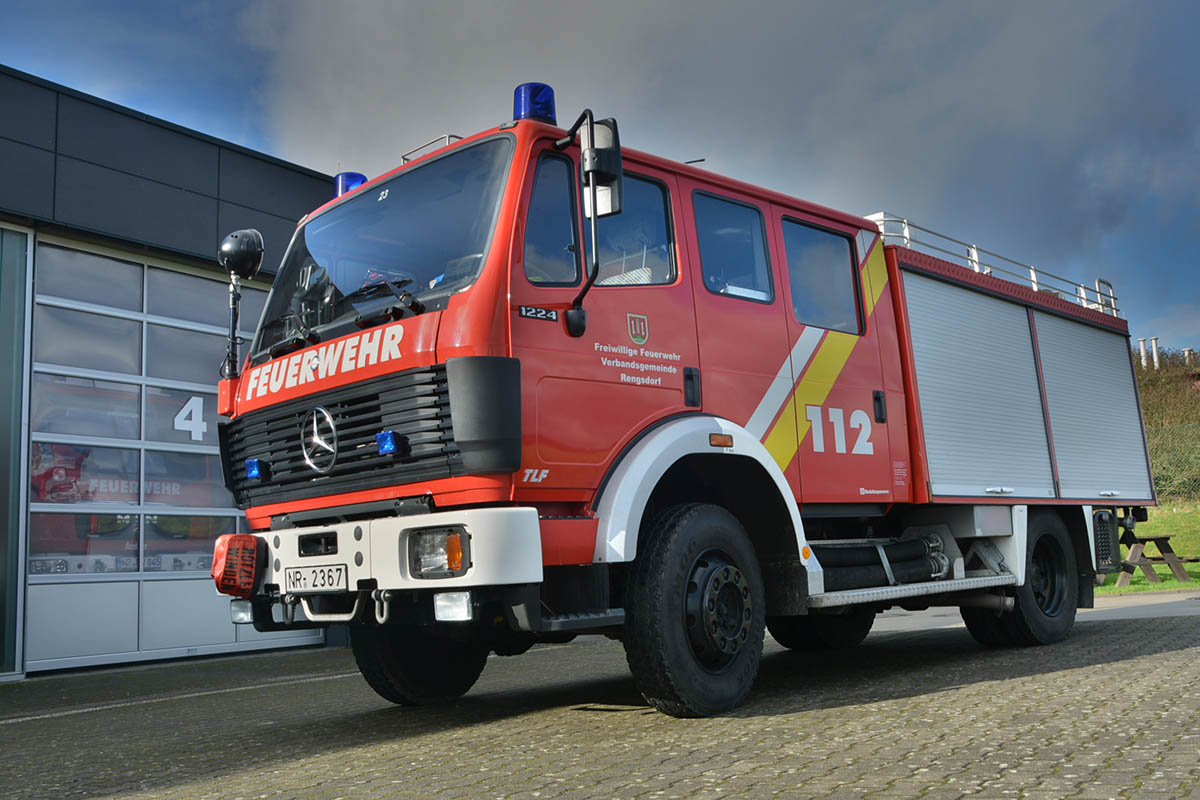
551	255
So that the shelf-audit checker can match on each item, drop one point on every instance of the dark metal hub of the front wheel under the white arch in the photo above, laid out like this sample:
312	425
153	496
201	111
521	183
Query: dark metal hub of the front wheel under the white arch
718	610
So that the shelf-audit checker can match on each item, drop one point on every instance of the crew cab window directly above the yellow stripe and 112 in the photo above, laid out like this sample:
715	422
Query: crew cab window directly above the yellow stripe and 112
823	274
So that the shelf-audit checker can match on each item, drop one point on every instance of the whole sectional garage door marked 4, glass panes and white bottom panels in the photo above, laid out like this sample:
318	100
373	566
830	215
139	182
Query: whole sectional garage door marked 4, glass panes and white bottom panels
125	486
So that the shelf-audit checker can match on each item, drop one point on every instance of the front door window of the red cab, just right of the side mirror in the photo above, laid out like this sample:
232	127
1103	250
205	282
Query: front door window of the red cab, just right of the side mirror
635	245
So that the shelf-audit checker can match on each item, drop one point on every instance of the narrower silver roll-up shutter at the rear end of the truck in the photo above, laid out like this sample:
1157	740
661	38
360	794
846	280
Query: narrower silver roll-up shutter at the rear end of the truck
1095	418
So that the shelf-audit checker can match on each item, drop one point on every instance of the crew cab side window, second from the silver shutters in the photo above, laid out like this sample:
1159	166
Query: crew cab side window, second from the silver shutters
733	249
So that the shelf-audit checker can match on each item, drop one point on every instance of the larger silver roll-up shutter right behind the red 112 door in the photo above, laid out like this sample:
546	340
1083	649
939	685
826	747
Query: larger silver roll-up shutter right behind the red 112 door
980	400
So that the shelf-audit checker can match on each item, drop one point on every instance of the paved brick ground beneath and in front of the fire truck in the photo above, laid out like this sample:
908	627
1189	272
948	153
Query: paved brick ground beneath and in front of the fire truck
1113	713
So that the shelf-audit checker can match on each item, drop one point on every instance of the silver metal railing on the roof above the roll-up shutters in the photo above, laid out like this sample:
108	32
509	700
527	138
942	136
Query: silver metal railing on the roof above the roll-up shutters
896	230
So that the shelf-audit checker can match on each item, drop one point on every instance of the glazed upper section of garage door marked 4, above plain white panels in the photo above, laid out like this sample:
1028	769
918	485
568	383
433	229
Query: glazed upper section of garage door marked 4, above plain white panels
125	473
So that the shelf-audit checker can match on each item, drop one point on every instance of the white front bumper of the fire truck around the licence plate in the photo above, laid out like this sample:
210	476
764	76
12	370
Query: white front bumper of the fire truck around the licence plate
506	549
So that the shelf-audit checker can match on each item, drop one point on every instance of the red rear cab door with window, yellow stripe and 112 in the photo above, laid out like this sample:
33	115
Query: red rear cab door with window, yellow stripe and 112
839	402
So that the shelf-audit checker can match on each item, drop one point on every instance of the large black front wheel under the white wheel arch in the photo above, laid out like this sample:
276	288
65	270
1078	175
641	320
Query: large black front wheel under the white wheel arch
695	613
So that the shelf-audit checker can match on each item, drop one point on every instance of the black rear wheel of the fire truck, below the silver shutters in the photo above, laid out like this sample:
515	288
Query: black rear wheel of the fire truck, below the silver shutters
1046	604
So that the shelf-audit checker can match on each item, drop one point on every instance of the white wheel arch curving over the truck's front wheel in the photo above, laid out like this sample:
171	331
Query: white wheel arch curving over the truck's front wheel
625	498
